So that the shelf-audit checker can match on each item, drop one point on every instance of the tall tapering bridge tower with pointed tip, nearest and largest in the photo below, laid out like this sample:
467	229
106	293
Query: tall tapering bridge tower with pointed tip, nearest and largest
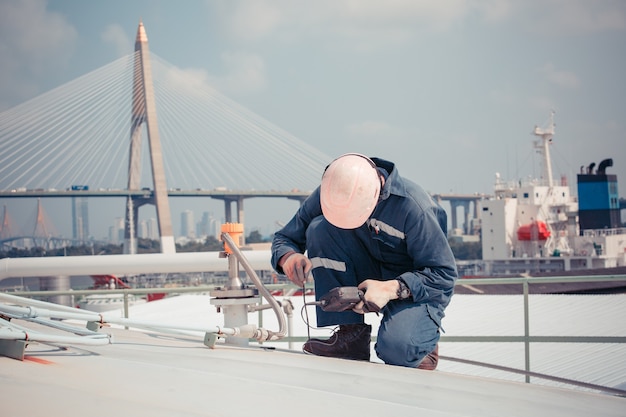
144	111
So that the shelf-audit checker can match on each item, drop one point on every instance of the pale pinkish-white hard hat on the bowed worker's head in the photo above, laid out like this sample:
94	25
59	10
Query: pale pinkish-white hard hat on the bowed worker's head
349	190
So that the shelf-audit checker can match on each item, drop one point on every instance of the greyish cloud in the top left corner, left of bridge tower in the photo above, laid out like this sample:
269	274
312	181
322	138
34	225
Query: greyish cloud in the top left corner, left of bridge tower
33	41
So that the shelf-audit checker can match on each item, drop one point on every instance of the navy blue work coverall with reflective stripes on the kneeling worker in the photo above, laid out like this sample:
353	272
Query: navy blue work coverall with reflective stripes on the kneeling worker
405	237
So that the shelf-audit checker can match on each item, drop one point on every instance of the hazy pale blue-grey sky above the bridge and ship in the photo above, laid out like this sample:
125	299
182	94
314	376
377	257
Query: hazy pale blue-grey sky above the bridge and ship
450	91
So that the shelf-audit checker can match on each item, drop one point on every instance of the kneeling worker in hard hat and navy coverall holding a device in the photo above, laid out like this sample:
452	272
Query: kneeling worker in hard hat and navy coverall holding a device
366	226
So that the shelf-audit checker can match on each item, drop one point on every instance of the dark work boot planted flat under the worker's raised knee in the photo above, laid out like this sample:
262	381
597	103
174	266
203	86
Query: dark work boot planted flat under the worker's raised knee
351	341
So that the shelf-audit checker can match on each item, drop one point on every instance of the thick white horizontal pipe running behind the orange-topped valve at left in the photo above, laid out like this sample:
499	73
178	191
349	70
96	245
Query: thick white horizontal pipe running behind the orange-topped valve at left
126	264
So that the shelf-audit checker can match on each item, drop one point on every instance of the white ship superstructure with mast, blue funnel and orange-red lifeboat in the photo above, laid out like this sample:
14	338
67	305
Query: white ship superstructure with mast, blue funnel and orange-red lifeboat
537	225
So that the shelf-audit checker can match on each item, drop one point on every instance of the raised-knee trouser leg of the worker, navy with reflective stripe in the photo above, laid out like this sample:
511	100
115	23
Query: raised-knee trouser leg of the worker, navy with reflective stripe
340	258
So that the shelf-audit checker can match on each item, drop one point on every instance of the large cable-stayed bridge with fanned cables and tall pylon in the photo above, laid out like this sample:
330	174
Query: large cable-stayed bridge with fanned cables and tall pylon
142	129
